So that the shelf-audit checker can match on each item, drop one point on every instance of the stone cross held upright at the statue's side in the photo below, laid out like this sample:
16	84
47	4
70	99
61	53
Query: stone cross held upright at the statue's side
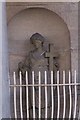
51	55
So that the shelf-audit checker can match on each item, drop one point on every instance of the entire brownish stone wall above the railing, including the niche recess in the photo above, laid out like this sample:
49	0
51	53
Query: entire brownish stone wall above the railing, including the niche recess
61	28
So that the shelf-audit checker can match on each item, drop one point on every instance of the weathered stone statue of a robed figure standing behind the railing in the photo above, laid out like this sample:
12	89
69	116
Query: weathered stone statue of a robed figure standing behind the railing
36	61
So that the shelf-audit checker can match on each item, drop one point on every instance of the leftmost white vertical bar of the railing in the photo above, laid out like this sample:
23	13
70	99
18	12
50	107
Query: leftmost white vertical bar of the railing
15	107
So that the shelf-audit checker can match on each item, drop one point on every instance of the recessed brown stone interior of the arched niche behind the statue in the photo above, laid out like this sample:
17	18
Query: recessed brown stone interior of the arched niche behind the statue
43	21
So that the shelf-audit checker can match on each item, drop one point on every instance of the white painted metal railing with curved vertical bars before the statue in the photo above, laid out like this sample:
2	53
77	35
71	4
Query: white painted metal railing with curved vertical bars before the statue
56	86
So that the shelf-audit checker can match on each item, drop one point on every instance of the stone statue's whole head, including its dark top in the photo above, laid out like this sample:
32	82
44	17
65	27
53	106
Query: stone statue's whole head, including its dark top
37	40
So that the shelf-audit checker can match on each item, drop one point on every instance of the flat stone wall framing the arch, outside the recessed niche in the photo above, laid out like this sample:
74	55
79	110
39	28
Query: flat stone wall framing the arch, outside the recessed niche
67	11
